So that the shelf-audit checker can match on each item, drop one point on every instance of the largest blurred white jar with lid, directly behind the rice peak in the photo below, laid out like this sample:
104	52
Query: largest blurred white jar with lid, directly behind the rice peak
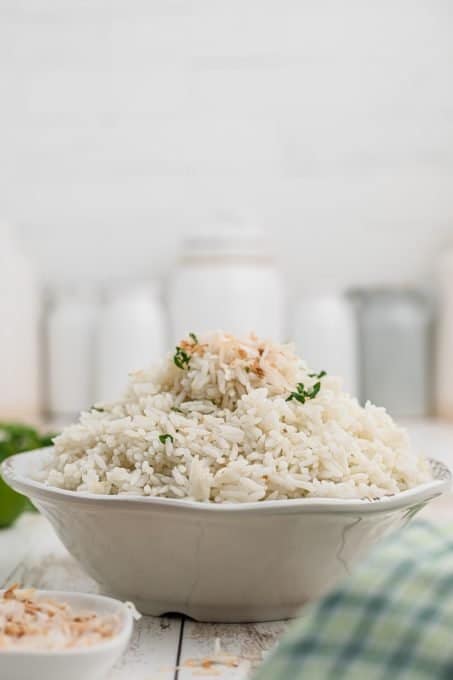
227	280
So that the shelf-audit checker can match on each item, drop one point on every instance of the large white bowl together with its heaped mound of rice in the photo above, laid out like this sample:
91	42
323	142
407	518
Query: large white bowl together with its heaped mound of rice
230	483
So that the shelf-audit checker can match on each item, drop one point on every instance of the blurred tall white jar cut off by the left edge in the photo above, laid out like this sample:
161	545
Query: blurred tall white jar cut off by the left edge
19	331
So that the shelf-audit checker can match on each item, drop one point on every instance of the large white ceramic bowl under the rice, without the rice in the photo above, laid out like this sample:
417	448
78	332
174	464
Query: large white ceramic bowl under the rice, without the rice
217	562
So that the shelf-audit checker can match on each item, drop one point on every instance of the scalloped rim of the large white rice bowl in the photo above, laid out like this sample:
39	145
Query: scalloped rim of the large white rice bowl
13	470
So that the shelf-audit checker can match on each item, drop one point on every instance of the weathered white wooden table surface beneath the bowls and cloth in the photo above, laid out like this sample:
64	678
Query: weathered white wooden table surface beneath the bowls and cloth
173	648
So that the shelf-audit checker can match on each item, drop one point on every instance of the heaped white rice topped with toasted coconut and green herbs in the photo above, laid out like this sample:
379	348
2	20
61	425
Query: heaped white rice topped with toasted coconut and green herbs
234	436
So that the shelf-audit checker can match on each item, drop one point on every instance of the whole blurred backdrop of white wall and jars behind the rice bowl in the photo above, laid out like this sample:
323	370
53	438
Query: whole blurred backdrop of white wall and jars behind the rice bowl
170	166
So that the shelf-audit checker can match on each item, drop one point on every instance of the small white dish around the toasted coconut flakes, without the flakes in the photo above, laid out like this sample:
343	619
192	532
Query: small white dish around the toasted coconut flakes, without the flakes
89	663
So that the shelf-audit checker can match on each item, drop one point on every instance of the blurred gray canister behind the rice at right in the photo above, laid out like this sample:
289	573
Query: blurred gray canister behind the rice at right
395	330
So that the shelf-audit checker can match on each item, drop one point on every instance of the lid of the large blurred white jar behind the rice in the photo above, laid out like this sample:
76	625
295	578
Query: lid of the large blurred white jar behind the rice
226	241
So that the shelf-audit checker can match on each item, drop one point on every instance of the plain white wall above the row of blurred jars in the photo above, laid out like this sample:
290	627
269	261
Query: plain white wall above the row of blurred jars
124	124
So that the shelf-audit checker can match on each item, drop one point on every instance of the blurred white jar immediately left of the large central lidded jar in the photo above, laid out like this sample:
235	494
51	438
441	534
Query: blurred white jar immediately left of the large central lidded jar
131	335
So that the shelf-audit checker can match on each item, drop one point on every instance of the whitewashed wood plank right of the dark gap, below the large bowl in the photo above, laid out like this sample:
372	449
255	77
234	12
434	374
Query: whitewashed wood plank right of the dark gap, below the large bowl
245	645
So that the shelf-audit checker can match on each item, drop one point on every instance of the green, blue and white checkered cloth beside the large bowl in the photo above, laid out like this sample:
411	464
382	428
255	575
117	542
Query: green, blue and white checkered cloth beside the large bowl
393	618
